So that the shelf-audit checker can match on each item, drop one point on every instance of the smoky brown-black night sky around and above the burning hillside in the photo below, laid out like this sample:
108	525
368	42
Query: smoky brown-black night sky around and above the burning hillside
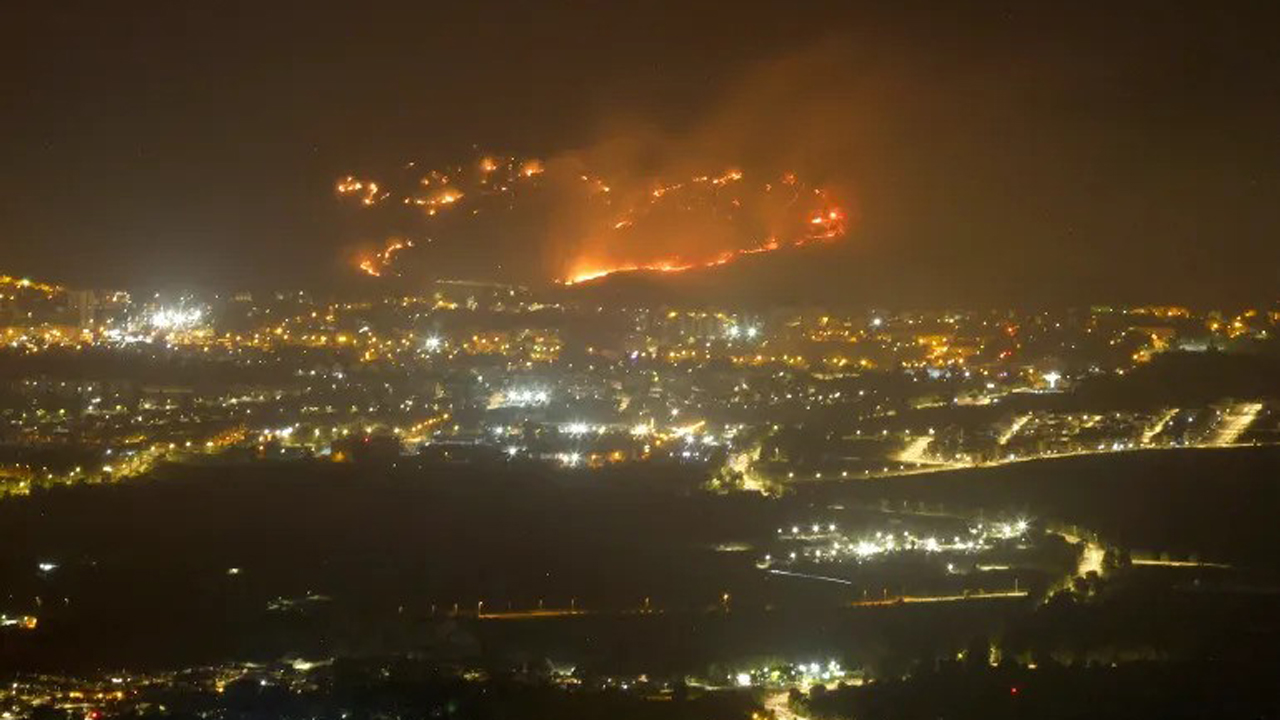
1069	152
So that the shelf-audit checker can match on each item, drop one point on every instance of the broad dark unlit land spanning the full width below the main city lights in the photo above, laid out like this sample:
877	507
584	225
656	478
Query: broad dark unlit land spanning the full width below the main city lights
216	563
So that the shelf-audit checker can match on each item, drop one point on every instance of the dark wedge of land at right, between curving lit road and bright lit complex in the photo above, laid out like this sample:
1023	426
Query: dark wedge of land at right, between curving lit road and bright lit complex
1215	504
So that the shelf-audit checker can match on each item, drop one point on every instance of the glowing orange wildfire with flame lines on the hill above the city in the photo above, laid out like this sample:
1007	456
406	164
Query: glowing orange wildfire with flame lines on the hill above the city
628	225
